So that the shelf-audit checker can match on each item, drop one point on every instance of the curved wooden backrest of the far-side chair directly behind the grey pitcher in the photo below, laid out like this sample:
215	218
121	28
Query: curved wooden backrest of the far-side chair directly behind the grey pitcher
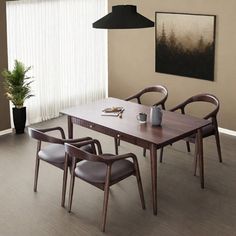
157	88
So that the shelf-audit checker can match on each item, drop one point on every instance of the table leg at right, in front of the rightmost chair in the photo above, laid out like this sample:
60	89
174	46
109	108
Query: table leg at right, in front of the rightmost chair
200	156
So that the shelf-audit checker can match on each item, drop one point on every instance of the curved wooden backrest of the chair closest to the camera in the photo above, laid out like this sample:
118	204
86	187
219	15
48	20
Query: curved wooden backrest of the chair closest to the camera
75	151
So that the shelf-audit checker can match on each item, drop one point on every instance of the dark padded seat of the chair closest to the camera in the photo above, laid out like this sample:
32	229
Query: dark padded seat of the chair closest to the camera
95	172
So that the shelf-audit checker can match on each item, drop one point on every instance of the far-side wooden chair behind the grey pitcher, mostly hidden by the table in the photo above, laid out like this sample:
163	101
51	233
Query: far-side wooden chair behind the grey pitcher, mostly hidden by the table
138	97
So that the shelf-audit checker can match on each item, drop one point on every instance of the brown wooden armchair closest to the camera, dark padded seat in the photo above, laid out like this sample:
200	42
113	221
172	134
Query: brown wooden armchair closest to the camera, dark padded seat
101	170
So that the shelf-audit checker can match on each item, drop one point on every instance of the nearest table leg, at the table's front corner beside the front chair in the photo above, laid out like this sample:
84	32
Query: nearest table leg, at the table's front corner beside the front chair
153	156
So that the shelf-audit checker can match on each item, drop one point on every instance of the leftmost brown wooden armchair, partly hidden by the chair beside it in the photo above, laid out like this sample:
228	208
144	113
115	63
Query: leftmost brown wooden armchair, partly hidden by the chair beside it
53	153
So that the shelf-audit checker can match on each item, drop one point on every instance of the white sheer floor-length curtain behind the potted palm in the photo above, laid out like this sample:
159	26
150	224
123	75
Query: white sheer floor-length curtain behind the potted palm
68	57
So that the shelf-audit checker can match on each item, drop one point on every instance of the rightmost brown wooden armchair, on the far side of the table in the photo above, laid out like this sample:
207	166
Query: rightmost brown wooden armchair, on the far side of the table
207	131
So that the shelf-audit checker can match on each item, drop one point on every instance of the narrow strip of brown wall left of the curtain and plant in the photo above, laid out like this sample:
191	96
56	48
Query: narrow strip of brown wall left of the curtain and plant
4	104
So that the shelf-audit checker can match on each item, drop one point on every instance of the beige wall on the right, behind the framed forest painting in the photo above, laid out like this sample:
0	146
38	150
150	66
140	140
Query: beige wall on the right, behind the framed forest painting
132	56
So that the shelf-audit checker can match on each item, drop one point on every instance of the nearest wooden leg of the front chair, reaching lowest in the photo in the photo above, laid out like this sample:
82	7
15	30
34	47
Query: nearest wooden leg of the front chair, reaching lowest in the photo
106	197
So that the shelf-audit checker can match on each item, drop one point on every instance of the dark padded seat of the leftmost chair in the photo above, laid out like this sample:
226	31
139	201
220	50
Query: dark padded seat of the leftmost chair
55	154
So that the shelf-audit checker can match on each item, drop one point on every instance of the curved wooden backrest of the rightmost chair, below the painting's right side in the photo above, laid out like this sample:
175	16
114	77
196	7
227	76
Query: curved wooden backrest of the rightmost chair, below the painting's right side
209	98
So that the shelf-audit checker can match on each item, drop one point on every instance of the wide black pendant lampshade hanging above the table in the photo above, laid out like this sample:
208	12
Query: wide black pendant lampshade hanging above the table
123	17
